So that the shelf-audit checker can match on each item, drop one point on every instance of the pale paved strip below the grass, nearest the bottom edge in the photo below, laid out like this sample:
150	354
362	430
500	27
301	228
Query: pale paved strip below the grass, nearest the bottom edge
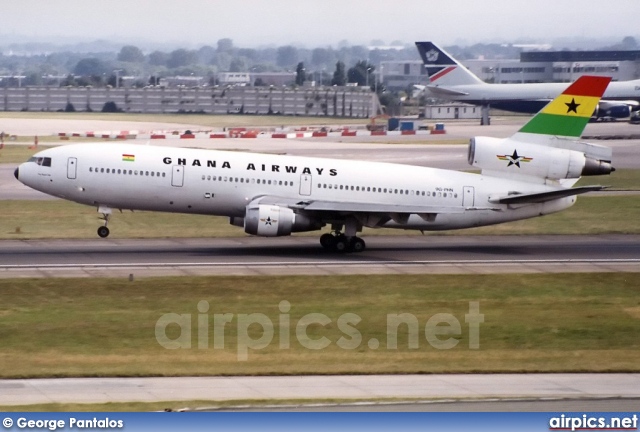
428	387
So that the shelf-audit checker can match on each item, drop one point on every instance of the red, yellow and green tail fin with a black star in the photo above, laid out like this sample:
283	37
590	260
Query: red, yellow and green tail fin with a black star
569	113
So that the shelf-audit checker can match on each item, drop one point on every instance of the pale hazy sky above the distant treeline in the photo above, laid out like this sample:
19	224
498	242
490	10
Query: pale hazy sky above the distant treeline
257	23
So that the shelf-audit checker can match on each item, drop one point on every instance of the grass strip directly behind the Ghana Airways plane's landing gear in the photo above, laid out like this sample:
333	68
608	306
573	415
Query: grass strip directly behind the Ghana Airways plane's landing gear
62	219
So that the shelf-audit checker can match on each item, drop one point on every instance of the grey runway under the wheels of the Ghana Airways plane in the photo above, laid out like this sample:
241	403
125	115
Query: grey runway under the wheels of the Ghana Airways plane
303	255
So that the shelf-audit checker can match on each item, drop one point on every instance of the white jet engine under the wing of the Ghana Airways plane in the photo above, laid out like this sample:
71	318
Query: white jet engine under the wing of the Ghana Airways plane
274	221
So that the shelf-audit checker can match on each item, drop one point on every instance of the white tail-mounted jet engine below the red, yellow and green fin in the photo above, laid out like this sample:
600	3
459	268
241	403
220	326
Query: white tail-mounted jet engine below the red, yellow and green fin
535	160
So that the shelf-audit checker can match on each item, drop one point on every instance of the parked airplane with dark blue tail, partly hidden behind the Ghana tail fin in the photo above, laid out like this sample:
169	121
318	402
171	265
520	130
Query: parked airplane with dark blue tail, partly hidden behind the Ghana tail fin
449	79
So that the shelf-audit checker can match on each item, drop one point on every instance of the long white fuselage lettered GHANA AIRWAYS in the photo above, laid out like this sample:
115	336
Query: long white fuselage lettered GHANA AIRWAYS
209	182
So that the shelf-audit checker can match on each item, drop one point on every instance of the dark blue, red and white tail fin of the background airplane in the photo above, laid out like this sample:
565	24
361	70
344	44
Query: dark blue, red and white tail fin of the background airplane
444	70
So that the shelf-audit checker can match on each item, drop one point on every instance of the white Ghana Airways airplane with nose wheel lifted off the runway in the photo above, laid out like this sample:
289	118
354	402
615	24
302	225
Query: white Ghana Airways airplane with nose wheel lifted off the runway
526	175
